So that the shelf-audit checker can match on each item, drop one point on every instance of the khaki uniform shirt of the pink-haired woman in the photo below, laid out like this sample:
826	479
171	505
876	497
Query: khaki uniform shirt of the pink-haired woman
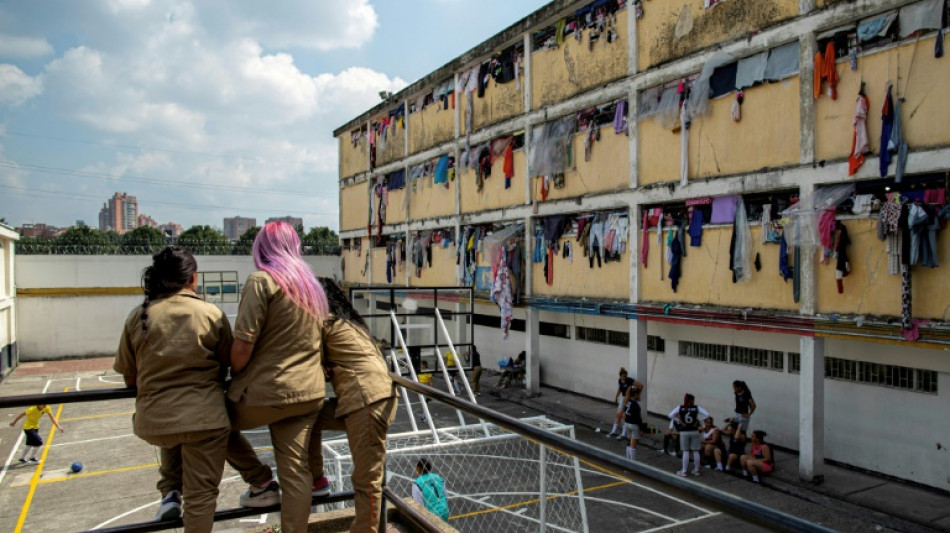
285	362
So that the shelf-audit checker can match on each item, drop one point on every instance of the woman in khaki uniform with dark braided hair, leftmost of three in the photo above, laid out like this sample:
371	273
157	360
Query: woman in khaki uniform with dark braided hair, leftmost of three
174	348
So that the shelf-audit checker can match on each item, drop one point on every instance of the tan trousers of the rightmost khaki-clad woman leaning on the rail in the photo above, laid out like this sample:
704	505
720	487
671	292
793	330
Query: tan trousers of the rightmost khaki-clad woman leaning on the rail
366	433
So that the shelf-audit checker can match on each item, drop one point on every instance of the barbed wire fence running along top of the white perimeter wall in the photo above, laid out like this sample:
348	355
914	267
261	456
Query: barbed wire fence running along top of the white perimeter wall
197	248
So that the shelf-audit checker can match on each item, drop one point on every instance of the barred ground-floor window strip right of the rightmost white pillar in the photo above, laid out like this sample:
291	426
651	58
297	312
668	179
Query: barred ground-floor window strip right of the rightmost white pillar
891	376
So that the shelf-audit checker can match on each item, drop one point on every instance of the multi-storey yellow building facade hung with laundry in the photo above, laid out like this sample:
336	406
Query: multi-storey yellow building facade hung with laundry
703	199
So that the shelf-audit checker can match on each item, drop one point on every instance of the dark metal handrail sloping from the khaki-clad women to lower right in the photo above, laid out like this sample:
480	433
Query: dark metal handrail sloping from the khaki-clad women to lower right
745	509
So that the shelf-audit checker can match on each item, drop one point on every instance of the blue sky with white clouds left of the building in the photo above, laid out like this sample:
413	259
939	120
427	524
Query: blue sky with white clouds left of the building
204	109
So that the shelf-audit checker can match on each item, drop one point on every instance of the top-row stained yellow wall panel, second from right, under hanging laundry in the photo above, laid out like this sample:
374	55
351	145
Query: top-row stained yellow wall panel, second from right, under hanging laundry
573	67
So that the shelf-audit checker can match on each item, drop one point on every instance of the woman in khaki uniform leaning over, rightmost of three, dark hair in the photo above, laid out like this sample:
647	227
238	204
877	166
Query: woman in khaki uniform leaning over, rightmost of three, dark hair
365	405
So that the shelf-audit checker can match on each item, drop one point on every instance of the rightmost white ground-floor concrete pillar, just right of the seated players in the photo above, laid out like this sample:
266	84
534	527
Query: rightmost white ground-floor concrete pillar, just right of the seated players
811	410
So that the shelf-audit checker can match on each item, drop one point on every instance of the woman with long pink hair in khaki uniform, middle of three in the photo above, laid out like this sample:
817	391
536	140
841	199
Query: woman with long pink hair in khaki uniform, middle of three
278	380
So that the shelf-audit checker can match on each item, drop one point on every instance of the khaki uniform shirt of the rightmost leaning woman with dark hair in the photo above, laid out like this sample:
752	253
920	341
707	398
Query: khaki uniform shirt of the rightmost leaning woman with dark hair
360	376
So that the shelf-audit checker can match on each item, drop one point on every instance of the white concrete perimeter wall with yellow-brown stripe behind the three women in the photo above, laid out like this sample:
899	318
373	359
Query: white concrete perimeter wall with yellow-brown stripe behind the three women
74	306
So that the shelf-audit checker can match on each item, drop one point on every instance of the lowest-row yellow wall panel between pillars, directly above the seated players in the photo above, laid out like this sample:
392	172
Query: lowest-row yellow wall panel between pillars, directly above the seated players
707	279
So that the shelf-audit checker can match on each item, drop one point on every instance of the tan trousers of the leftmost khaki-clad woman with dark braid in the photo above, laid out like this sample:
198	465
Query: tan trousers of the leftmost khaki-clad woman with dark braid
193	464
